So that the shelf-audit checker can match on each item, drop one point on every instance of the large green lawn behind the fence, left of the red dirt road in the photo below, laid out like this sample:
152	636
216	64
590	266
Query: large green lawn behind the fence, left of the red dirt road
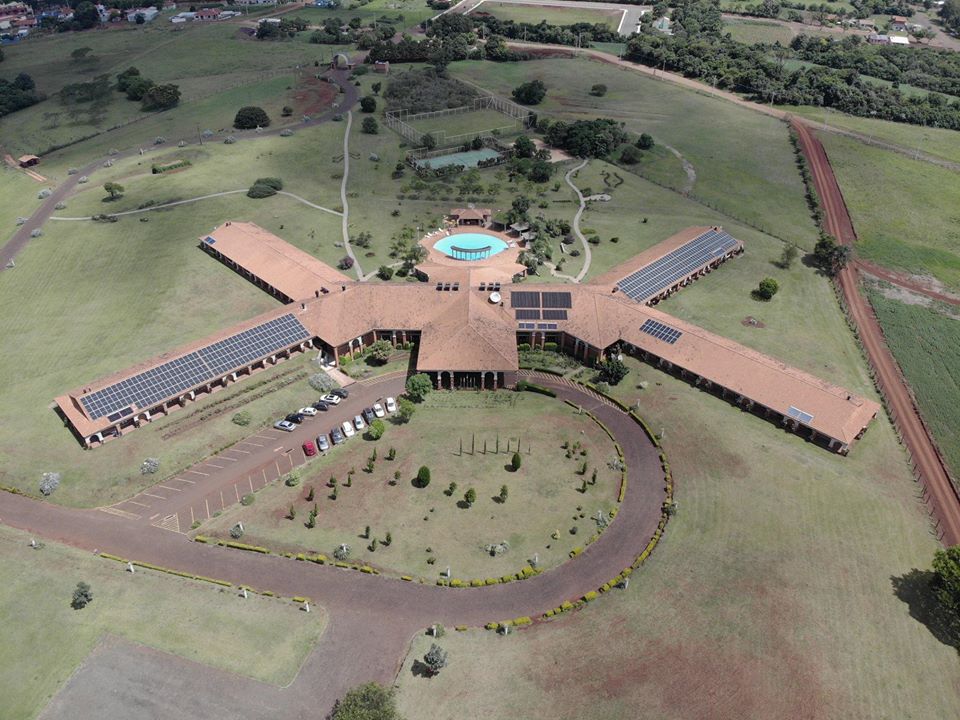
743	160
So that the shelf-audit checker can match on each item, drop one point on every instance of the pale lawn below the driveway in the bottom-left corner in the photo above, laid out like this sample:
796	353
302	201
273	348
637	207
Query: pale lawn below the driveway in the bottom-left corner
43	640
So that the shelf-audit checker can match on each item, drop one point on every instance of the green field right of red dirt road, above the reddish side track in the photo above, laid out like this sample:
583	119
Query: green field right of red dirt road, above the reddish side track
906	212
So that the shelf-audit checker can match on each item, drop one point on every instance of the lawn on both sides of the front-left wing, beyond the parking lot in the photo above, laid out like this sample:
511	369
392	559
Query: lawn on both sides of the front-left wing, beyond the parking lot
105	296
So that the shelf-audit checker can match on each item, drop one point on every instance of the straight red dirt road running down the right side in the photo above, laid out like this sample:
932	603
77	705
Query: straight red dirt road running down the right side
942	496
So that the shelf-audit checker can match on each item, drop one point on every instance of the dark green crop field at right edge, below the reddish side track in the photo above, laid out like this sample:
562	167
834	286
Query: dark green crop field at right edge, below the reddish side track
926	345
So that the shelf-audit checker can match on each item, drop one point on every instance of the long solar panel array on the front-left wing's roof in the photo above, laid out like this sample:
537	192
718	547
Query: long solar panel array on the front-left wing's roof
195	368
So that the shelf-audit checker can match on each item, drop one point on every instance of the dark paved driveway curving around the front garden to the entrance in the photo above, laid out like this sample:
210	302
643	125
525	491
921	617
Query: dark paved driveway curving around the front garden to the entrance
372	618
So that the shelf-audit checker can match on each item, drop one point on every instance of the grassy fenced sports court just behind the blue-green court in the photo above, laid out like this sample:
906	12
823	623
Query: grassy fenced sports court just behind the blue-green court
488	117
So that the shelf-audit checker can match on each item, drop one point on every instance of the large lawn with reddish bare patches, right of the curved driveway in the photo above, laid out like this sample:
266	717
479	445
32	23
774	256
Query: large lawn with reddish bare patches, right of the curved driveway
728	619
